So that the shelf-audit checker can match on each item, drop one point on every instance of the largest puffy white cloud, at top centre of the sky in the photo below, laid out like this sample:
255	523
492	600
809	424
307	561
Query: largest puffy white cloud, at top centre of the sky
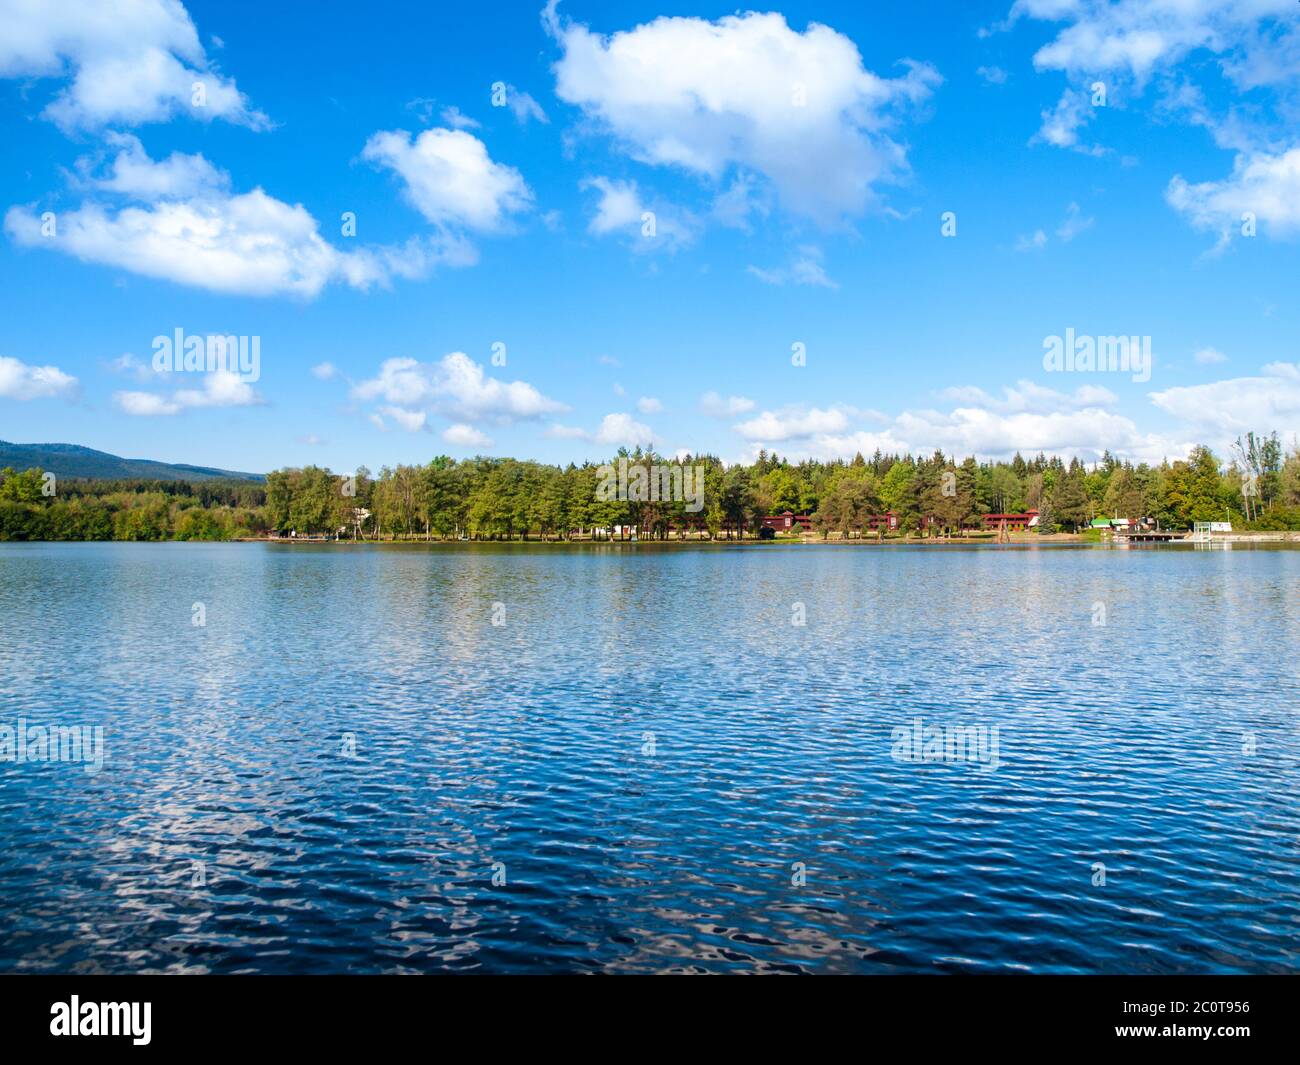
746	92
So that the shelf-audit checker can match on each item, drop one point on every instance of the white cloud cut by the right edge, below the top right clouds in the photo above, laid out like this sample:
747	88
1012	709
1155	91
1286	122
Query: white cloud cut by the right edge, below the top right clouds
1267	187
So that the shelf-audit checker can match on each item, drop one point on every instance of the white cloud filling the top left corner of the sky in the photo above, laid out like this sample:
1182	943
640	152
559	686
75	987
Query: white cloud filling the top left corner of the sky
129	63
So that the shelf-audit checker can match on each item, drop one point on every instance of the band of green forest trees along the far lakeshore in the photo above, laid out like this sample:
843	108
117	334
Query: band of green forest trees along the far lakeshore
1258	487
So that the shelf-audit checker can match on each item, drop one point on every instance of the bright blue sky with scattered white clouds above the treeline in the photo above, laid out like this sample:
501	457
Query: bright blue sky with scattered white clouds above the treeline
551	232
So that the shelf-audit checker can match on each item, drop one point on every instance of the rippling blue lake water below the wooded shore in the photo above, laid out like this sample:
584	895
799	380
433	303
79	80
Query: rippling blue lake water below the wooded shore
647	764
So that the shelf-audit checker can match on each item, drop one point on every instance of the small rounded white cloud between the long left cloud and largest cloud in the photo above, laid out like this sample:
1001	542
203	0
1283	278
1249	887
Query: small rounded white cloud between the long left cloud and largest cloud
450	179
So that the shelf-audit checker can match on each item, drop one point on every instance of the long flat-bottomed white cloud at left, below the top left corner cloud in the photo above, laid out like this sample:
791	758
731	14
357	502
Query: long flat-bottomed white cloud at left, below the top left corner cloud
192	231
